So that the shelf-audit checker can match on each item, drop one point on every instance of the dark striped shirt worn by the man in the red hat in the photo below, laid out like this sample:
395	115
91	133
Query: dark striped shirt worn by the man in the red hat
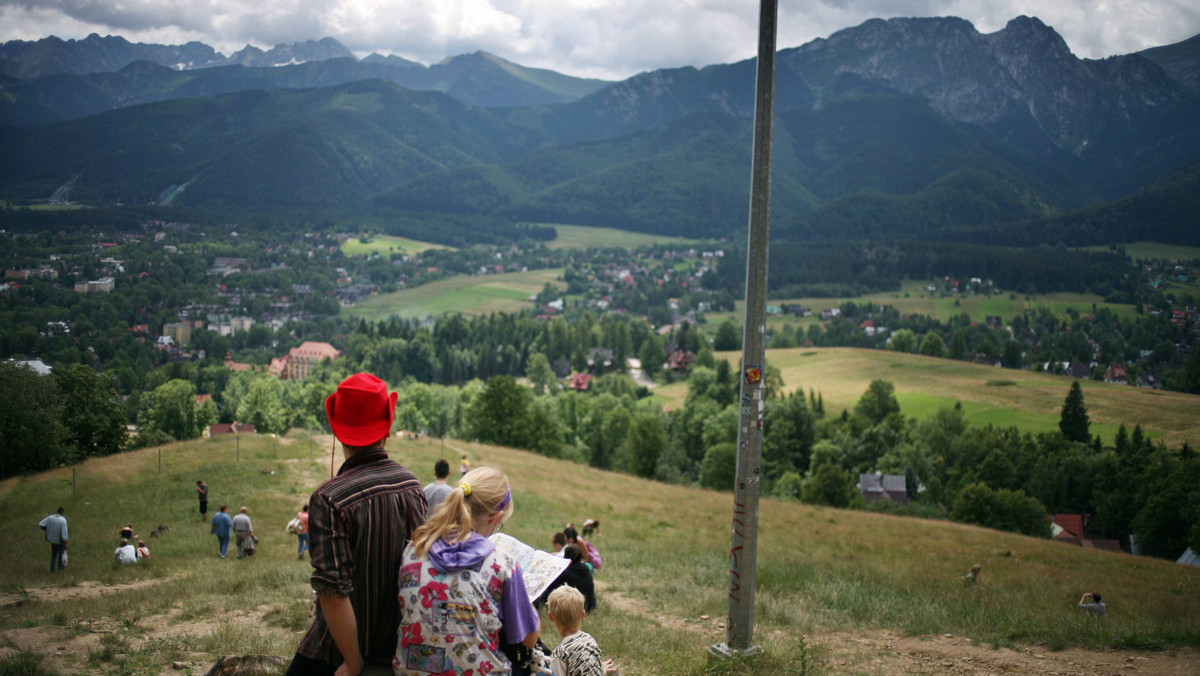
358	525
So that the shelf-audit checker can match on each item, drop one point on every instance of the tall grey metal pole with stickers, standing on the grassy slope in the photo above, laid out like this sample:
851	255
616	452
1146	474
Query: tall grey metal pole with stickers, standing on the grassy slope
743	551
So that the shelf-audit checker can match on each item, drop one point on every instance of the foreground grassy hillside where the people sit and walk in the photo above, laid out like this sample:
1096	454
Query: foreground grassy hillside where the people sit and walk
838	593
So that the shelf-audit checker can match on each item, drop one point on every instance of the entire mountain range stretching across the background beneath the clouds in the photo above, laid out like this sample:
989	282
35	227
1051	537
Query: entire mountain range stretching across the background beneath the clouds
895	128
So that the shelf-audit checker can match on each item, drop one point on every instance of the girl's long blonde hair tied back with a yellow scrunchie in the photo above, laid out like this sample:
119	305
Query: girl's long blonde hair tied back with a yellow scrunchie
453	521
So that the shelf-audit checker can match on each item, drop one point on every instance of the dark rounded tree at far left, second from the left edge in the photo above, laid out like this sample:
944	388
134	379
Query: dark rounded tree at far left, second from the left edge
92	411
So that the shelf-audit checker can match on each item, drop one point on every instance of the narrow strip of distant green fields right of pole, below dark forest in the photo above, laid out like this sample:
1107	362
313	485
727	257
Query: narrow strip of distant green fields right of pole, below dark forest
915	300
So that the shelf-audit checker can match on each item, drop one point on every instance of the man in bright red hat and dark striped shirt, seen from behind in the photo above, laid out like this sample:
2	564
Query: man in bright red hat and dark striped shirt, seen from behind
358	525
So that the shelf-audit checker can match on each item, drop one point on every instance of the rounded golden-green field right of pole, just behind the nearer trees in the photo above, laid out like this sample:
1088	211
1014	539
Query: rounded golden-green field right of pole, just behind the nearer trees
998	397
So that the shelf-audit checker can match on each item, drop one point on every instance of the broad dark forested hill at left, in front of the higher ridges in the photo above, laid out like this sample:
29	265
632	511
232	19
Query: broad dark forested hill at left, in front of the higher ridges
333	146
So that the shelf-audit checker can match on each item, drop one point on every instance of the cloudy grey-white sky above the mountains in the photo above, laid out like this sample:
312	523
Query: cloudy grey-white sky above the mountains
608	39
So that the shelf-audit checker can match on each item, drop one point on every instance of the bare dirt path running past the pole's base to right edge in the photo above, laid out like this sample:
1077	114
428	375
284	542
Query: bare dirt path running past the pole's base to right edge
890	654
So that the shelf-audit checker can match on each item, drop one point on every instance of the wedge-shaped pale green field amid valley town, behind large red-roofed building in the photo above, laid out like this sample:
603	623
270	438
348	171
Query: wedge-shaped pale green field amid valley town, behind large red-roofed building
469	295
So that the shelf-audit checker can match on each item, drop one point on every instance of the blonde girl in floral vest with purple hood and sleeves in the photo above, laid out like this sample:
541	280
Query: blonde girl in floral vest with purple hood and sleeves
458	593
